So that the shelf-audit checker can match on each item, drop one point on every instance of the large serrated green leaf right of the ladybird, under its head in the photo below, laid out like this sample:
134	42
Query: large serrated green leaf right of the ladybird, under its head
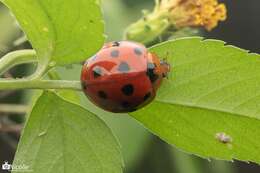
212	88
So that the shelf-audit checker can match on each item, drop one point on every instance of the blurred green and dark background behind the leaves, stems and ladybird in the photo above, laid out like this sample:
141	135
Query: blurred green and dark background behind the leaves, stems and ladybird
142	151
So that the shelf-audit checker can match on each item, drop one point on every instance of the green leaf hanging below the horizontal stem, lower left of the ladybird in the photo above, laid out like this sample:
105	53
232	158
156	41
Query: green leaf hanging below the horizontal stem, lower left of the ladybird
63	137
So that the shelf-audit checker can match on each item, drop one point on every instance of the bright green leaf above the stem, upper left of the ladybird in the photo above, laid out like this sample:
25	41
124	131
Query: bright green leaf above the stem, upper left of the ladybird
64	31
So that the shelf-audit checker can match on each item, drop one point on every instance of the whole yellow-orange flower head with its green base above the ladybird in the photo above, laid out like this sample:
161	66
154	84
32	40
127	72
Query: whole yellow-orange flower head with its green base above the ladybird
170	16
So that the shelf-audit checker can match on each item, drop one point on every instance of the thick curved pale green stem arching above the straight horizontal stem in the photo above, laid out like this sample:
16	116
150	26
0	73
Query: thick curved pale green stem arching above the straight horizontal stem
15	58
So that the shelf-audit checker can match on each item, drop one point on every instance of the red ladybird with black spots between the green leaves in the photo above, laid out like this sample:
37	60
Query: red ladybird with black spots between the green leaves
123	76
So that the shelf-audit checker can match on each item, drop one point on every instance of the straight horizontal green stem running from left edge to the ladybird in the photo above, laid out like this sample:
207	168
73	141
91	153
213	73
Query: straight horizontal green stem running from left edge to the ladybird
12	84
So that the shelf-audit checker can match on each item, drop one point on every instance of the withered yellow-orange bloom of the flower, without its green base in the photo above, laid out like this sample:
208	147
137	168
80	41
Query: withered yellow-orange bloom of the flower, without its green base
193	13
